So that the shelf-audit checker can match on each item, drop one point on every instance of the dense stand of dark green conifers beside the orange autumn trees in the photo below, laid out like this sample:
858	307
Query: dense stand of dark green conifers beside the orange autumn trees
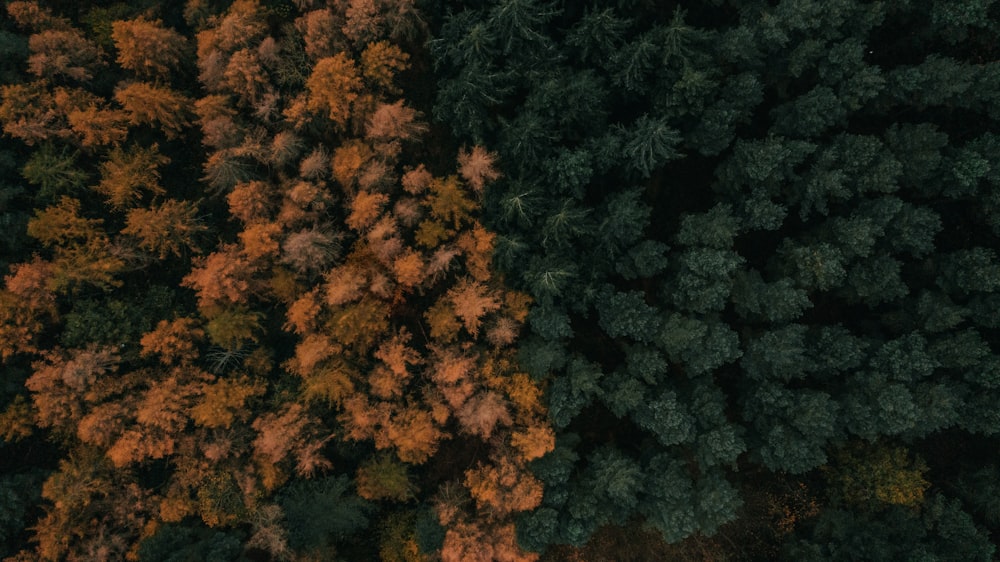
754	233
